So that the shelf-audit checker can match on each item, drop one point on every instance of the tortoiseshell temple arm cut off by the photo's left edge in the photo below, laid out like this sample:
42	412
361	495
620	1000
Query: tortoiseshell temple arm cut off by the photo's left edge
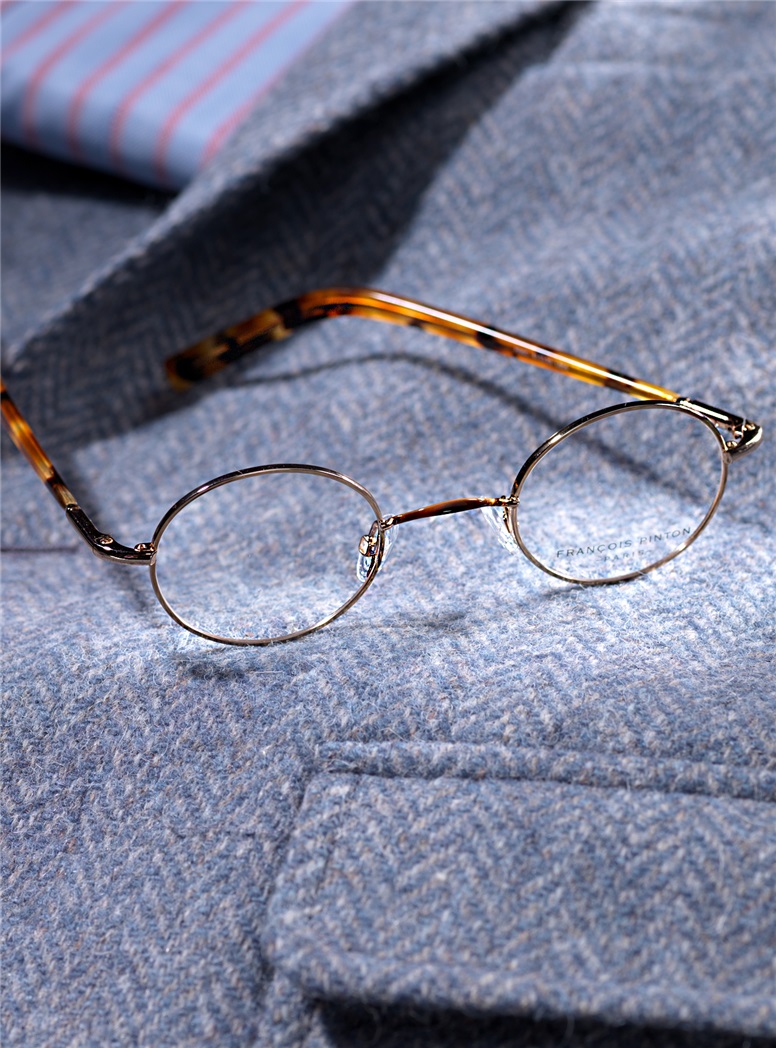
26	441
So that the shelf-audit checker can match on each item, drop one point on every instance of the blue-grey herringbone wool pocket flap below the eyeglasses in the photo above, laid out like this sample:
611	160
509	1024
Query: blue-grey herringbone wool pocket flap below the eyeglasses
537	897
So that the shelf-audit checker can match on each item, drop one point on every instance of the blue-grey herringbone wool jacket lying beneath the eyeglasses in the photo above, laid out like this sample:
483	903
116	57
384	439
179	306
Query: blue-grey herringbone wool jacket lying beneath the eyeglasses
484	807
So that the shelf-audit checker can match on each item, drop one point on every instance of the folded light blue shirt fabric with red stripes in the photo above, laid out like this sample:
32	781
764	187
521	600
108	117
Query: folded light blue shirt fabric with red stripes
148	90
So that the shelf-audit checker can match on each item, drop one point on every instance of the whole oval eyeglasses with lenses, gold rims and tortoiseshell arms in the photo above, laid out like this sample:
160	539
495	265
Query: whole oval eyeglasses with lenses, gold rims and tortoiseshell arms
278	552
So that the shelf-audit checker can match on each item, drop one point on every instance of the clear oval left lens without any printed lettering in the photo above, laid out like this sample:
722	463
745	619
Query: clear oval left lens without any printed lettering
265	555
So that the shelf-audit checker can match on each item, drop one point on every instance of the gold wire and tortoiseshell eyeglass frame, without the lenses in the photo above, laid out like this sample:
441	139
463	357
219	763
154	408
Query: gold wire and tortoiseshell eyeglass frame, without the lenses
739	438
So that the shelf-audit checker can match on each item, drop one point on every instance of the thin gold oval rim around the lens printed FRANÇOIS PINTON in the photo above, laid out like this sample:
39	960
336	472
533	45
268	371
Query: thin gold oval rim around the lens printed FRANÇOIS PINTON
513	513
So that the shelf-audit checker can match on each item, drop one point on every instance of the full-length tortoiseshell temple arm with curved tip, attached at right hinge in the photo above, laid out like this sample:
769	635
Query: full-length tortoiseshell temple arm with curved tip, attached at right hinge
215	353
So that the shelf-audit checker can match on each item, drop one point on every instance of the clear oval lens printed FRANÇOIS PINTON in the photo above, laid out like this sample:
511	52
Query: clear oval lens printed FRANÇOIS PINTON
620	493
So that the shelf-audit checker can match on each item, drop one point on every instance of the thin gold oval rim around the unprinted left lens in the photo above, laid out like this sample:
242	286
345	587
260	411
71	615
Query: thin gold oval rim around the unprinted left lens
239	475
